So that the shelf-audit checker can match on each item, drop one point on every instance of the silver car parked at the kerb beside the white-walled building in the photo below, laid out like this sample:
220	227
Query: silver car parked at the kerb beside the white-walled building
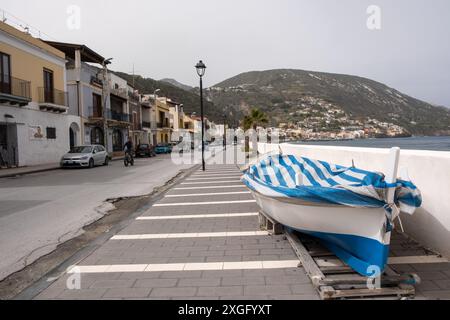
85	156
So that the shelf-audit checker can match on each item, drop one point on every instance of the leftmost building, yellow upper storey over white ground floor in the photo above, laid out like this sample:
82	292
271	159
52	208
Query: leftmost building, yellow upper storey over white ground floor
34	125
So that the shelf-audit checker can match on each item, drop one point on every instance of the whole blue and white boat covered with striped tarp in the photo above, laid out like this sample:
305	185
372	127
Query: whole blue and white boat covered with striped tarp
350	210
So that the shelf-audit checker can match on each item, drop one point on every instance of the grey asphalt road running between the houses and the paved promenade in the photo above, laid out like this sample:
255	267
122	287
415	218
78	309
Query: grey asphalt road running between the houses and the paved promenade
40	211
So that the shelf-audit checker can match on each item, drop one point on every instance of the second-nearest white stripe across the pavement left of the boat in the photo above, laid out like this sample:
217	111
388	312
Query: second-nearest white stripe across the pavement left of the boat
189	235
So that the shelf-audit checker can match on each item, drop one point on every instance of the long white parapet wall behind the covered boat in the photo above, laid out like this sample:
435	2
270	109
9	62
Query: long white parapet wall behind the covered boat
429	170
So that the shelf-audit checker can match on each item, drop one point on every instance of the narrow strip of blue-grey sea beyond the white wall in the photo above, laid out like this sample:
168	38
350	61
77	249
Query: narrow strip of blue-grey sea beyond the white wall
412	143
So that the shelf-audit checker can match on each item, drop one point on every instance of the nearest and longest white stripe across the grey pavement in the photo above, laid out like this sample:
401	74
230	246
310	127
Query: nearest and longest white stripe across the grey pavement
216	266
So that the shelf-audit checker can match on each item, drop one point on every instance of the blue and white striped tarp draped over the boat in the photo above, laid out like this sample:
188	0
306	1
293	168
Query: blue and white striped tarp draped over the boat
321	182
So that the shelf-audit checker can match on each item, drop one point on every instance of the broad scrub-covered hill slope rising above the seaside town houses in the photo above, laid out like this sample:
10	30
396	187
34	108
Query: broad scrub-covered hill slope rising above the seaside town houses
283	94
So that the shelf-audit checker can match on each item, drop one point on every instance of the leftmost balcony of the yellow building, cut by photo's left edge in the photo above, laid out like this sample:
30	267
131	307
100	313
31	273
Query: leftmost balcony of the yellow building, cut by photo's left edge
15	91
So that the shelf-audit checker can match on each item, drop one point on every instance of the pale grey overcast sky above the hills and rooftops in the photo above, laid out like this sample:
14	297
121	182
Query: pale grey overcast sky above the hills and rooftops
165	38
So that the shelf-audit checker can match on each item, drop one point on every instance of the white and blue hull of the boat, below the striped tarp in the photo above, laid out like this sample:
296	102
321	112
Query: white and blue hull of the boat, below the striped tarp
357	235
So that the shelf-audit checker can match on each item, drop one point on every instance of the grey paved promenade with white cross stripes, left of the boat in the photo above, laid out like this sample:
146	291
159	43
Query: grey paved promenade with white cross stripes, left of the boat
202	241
